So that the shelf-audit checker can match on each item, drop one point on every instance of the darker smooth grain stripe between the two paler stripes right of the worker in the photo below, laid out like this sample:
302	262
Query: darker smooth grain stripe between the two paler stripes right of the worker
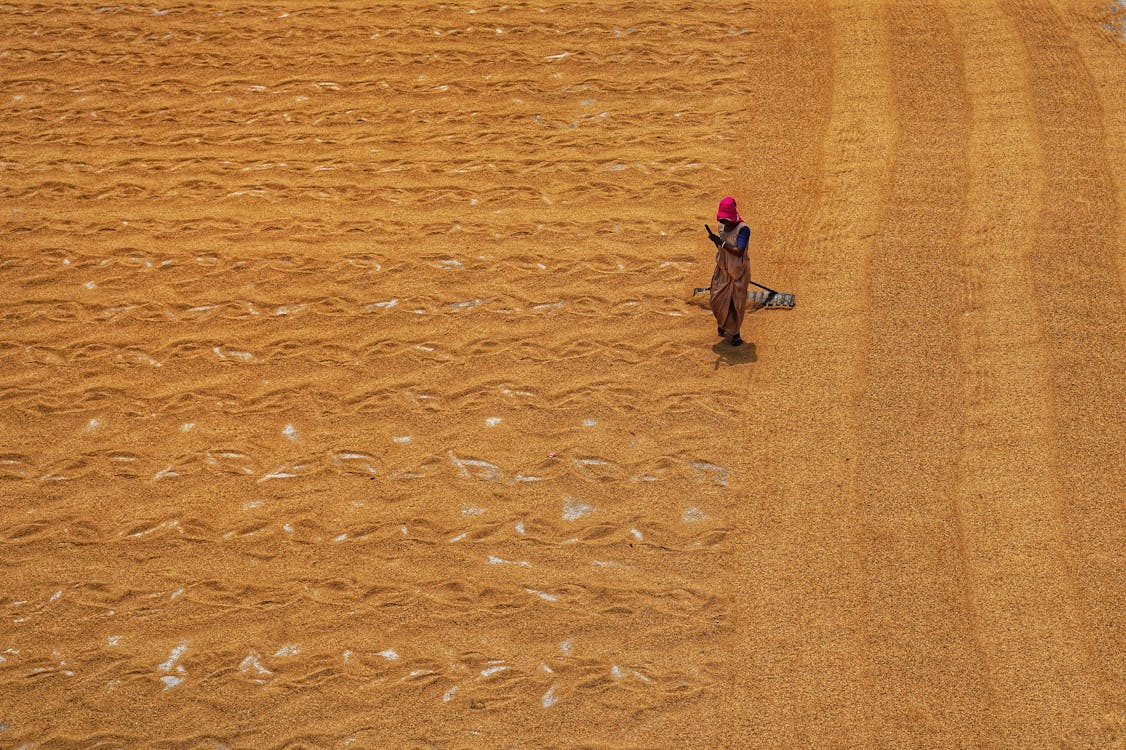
924	636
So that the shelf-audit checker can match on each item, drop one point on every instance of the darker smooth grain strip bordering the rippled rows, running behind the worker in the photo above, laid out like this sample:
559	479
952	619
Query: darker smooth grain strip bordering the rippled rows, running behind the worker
776	173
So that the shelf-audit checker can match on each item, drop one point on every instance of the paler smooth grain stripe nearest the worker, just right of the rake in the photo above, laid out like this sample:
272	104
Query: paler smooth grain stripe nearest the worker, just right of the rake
823	508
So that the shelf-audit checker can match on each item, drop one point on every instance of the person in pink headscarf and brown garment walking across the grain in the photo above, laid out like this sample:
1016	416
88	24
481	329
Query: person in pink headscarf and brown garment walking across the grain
732	271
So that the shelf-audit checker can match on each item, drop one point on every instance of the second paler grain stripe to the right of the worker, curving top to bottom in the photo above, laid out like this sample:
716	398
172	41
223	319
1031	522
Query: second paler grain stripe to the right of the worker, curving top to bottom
1031	626
